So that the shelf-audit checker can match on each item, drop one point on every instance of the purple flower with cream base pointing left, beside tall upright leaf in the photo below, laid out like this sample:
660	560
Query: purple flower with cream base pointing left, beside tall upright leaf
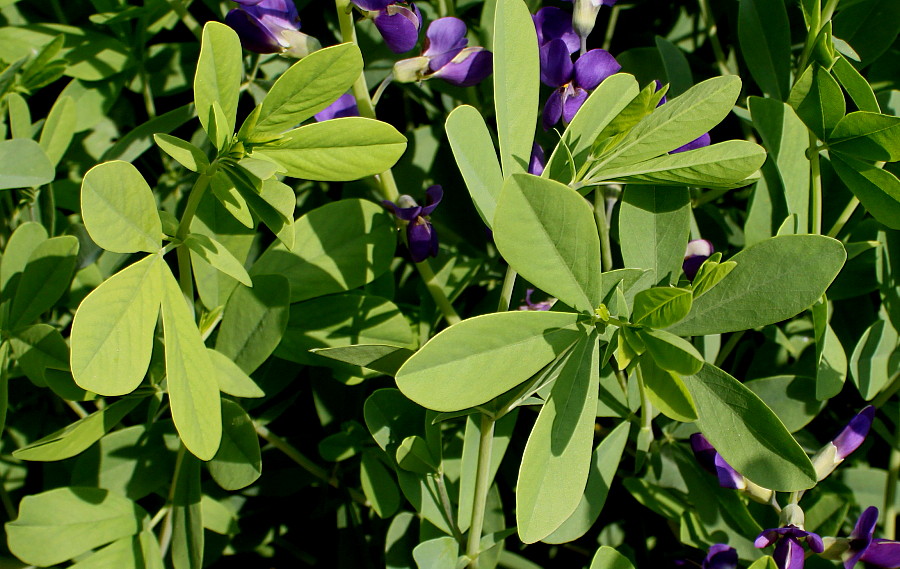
446	56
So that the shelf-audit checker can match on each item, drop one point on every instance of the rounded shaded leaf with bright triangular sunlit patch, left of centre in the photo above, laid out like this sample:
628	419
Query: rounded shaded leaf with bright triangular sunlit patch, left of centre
337	247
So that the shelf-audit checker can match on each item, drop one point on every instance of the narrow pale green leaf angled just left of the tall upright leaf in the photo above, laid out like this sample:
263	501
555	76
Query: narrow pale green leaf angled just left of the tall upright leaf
476	158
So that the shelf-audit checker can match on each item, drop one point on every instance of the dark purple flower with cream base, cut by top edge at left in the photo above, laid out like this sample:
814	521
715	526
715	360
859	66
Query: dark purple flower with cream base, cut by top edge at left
271	26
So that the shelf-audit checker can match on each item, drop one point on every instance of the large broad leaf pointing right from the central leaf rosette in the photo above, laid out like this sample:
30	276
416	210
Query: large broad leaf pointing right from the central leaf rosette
774	280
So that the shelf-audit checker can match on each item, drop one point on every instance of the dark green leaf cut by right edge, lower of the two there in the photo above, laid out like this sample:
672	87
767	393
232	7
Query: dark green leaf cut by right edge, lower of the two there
878	190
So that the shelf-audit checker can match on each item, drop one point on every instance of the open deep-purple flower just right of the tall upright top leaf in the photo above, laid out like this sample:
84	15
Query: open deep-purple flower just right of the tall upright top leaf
573	82
